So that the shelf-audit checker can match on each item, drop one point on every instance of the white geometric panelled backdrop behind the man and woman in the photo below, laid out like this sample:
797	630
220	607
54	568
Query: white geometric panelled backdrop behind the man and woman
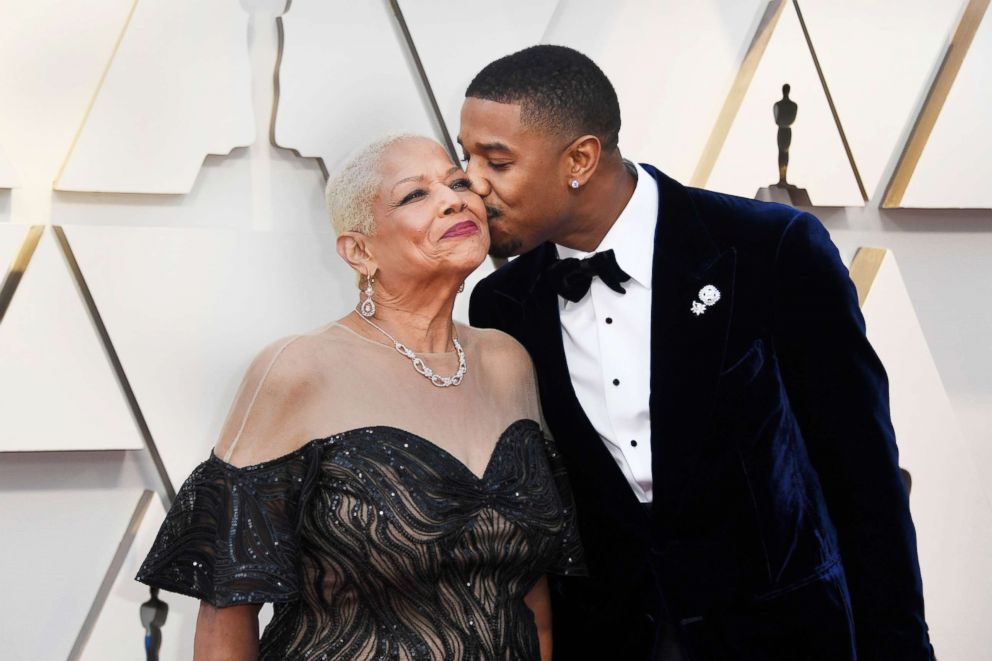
182	147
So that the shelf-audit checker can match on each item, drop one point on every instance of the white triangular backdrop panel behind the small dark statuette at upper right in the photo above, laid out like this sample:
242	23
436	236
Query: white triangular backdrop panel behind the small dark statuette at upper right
817	162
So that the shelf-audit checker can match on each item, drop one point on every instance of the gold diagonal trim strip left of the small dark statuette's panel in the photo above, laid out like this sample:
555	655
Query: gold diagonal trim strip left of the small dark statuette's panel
738	89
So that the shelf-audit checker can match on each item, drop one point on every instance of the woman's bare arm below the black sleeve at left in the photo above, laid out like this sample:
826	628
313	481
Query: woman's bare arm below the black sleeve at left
227	634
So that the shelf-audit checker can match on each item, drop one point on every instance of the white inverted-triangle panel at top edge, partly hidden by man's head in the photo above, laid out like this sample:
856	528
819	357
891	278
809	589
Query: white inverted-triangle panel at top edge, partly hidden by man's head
446	34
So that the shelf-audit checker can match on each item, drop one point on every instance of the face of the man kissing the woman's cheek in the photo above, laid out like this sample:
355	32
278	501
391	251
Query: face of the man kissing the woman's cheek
519	172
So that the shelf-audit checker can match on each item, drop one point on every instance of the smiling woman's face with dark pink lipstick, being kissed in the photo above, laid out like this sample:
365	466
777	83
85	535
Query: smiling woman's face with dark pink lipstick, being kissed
428	223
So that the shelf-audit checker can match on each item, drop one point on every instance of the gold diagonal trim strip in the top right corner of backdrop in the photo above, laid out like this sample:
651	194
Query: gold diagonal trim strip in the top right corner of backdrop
940	87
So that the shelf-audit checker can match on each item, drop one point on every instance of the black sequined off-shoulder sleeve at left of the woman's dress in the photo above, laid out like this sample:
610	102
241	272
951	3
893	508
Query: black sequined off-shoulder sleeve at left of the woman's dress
231	536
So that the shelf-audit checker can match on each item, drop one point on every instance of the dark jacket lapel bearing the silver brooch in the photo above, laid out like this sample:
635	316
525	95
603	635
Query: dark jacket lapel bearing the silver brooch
687	350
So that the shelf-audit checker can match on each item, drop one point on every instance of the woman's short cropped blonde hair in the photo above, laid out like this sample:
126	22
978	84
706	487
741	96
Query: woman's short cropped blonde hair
352	190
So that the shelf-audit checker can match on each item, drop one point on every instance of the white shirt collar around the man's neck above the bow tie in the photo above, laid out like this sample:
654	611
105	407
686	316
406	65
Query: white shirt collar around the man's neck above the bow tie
632	235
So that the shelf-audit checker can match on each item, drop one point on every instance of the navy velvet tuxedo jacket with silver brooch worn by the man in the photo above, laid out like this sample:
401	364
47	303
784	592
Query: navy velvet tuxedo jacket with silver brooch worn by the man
780	527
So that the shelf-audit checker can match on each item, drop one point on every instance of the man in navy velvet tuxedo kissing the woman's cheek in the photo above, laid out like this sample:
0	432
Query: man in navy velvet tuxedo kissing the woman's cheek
703	365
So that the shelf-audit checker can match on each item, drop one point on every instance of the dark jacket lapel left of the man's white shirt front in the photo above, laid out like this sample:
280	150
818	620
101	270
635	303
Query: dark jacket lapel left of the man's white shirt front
540	332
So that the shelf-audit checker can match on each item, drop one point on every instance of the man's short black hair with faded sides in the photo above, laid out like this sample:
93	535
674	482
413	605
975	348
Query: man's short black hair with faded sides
559	90
